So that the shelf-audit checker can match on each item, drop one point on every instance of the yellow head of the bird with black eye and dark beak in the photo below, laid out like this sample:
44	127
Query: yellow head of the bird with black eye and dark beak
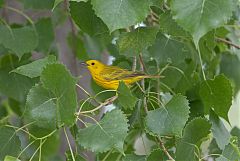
94	66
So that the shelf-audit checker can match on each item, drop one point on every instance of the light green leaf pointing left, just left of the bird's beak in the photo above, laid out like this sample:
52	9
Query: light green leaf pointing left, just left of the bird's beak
35	68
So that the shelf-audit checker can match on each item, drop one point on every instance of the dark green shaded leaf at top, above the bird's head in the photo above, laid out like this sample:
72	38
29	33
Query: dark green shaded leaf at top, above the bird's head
84	16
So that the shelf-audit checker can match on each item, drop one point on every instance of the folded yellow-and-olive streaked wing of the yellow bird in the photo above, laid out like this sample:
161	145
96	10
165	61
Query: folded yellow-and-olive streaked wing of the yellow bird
115	73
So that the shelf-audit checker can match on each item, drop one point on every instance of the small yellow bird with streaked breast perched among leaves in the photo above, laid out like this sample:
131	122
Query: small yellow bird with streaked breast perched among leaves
109	77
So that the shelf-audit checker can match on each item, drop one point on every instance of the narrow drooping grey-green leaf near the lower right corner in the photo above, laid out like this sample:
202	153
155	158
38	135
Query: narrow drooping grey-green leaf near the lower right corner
220	132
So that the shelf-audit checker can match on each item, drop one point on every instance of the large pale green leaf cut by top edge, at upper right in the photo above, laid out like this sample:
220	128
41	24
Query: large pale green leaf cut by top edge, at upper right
200	16
